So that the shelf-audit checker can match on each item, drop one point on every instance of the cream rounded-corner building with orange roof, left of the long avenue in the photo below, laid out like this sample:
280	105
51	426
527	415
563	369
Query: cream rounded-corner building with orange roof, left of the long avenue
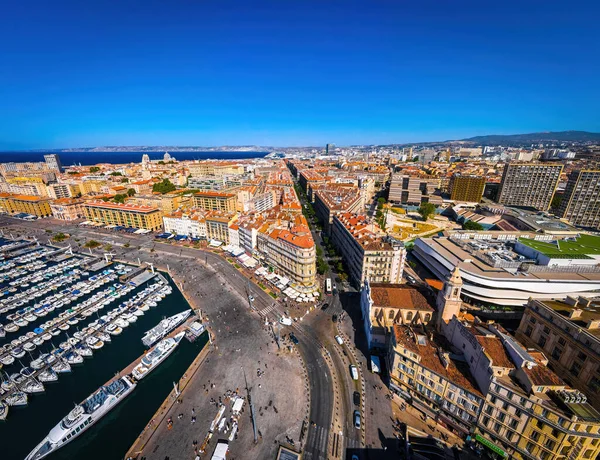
291	252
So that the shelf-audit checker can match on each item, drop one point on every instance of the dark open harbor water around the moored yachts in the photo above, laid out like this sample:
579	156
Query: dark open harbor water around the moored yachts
109	438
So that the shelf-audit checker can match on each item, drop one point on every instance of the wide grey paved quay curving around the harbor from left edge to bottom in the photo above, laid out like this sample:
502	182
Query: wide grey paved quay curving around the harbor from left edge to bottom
242	343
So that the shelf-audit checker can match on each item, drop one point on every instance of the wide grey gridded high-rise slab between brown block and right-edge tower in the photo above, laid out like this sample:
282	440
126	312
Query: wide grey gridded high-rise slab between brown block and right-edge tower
529	184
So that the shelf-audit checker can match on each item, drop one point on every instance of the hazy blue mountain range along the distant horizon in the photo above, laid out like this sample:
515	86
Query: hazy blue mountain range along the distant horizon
490	139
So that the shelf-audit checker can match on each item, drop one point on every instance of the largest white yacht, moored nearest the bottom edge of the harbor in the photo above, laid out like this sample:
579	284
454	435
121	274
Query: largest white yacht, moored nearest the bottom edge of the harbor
83	416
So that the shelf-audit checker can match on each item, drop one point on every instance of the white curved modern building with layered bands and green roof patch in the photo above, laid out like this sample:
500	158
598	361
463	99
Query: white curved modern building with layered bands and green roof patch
506	269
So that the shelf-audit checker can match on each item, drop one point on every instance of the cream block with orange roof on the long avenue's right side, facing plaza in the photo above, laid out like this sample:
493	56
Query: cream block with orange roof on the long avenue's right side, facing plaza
368	253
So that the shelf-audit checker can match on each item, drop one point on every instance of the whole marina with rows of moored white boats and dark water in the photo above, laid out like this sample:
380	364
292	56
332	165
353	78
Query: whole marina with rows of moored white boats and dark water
83	309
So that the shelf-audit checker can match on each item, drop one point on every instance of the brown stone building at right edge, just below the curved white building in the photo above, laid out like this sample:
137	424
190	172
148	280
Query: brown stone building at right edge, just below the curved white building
568	333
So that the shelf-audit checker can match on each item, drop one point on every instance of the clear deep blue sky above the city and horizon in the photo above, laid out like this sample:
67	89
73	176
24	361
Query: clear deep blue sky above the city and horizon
219	72
